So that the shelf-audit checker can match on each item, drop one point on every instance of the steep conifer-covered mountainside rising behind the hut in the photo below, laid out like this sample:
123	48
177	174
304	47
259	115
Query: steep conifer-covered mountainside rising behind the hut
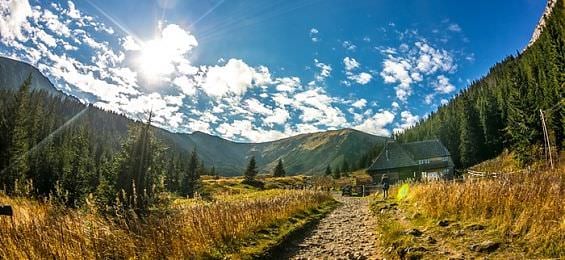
510	107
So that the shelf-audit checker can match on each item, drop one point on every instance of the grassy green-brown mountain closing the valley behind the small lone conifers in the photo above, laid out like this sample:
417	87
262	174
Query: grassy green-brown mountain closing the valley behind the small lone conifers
305	153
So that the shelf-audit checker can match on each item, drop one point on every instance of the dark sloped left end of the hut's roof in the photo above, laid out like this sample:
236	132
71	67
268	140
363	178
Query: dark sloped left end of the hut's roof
391	157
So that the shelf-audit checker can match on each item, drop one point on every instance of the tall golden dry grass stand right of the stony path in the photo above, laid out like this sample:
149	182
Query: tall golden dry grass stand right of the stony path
525	208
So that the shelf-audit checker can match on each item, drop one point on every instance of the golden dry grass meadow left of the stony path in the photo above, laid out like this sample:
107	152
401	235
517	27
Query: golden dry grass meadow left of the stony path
199	229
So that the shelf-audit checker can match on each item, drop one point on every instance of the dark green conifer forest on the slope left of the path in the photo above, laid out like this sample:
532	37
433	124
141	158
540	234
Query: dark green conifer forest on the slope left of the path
54	146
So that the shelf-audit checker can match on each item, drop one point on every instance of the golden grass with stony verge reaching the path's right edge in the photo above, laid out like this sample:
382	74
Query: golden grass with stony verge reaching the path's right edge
523	213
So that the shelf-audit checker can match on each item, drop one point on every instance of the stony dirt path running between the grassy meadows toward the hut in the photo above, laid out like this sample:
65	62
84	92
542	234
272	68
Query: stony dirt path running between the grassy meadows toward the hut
346	233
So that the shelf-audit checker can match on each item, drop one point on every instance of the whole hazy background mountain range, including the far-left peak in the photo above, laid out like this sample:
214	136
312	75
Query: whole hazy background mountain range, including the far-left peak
305	153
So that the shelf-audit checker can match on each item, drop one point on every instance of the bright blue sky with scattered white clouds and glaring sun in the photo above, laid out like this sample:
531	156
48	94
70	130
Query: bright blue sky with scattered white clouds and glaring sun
255	70
